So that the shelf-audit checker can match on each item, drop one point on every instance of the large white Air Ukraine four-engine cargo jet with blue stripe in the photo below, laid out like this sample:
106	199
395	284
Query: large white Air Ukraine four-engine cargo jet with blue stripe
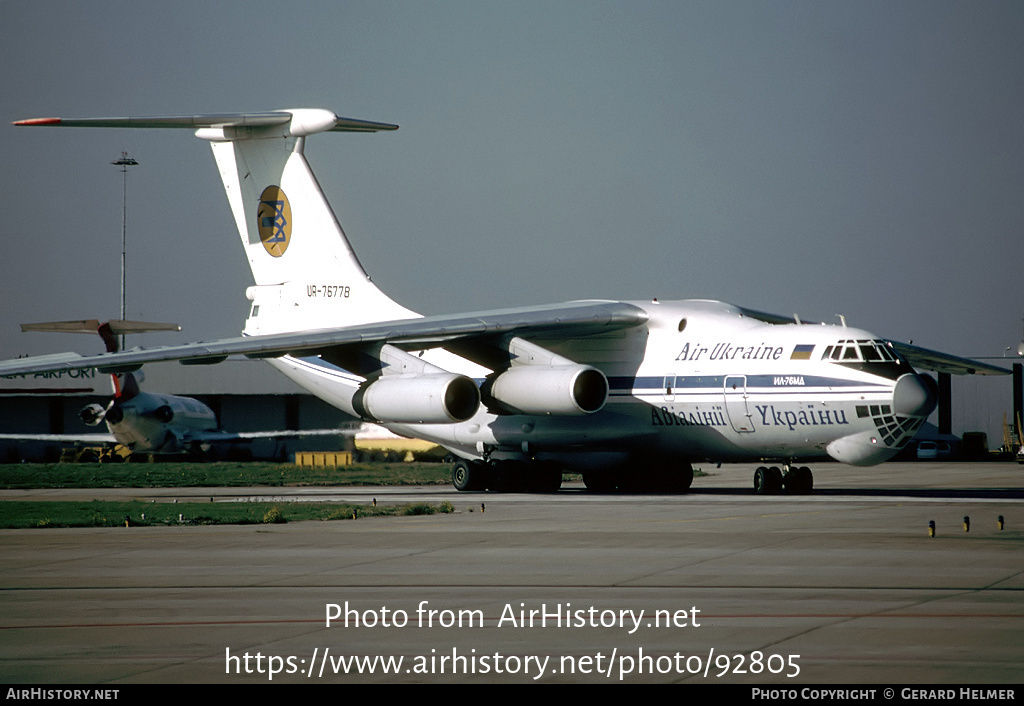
630	394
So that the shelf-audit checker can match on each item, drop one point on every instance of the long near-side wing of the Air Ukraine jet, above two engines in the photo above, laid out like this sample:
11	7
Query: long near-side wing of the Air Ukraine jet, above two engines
558	321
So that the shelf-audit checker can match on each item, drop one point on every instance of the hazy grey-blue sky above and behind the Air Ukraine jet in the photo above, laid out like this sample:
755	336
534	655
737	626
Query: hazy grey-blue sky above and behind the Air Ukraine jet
820	158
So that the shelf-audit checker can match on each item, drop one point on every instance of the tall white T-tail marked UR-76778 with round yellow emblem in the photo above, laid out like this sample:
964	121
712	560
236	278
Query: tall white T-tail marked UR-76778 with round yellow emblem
307	274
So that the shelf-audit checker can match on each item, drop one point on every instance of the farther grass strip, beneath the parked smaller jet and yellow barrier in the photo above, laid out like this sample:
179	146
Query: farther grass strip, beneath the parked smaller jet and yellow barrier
190	475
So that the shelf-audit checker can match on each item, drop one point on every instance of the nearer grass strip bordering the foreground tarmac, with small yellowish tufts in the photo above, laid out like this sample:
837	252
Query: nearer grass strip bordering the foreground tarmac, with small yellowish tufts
25	515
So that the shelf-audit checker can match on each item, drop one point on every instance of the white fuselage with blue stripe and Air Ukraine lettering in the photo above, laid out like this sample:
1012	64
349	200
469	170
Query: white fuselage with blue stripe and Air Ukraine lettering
701	381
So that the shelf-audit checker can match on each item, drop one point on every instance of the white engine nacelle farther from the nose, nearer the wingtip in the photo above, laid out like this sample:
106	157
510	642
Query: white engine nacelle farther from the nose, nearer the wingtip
429	399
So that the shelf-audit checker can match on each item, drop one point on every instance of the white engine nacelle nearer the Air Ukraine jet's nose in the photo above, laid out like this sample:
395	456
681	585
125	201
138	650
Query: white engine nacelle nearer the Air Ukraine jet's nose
565	390
